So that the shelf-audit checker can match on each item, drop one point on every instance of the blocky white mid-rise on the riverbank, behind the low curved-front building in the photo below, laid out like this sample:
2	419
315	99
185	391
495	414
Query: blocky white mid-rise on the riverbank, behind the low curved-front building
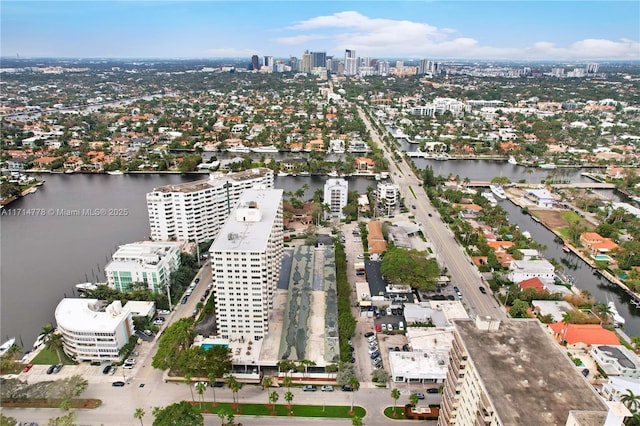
148	262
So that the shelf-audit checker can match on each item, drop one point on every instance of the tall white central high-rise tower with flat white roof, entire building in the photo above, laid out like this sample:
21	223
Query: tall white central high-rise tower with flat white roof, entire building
246	258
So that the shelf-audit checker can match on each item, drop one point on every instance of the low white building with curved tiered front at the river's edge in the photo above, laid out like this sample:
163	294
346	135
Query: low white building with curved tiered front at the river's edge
92	332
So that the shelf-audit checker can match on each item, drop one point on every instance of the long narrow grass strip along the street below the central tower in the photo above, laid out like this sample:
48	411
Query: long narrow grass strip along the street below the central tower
331	411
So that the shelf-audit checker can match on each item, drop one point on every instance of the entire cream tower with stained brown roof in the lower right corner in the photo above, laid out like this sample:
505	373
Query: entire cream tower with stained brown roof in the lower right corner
513	373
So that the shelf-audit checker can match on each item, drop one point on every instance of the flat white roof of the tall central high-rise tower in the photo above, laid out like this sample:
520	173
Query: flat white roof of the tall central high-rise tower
248	226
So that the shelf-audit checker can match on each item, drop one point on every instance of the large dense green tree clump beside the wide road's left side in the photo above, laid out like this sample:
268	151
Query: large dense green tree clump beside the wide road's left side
411	267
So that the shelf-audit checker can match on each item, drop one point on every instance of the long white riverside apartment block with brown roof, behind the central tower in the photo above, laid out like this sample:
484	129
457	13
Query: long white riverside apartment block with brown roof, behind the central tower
195	211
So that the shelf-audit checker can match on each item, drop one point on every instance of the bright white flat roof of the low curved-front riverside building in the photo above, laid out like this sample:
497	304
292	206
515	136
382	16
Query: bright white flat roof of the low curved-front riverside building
89	315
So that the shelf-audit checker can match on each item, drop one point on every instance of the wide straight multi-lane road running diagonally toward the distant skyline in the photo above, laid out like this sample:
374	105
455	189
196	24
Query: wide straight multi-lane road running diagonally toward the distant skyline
449	253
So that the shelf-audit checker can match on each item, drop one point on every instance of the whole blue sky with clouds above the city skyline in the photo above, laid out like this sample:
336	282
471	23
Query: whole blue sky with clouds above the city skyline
445	29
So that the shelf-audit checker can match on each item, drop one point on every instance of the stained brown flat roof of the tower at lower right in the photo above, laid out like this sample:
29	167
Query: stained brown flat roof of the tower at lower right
527	377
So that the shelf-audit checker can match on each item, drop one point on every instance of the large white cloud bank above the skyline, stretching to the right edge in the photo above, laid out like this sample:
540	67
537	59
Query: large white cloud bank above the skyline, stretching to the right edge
387	37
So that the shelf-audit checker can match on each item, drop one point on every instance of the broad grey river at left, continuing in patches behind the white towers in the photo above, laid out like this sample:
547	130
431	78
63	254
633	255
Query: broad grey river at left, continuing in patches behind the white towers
43	257
